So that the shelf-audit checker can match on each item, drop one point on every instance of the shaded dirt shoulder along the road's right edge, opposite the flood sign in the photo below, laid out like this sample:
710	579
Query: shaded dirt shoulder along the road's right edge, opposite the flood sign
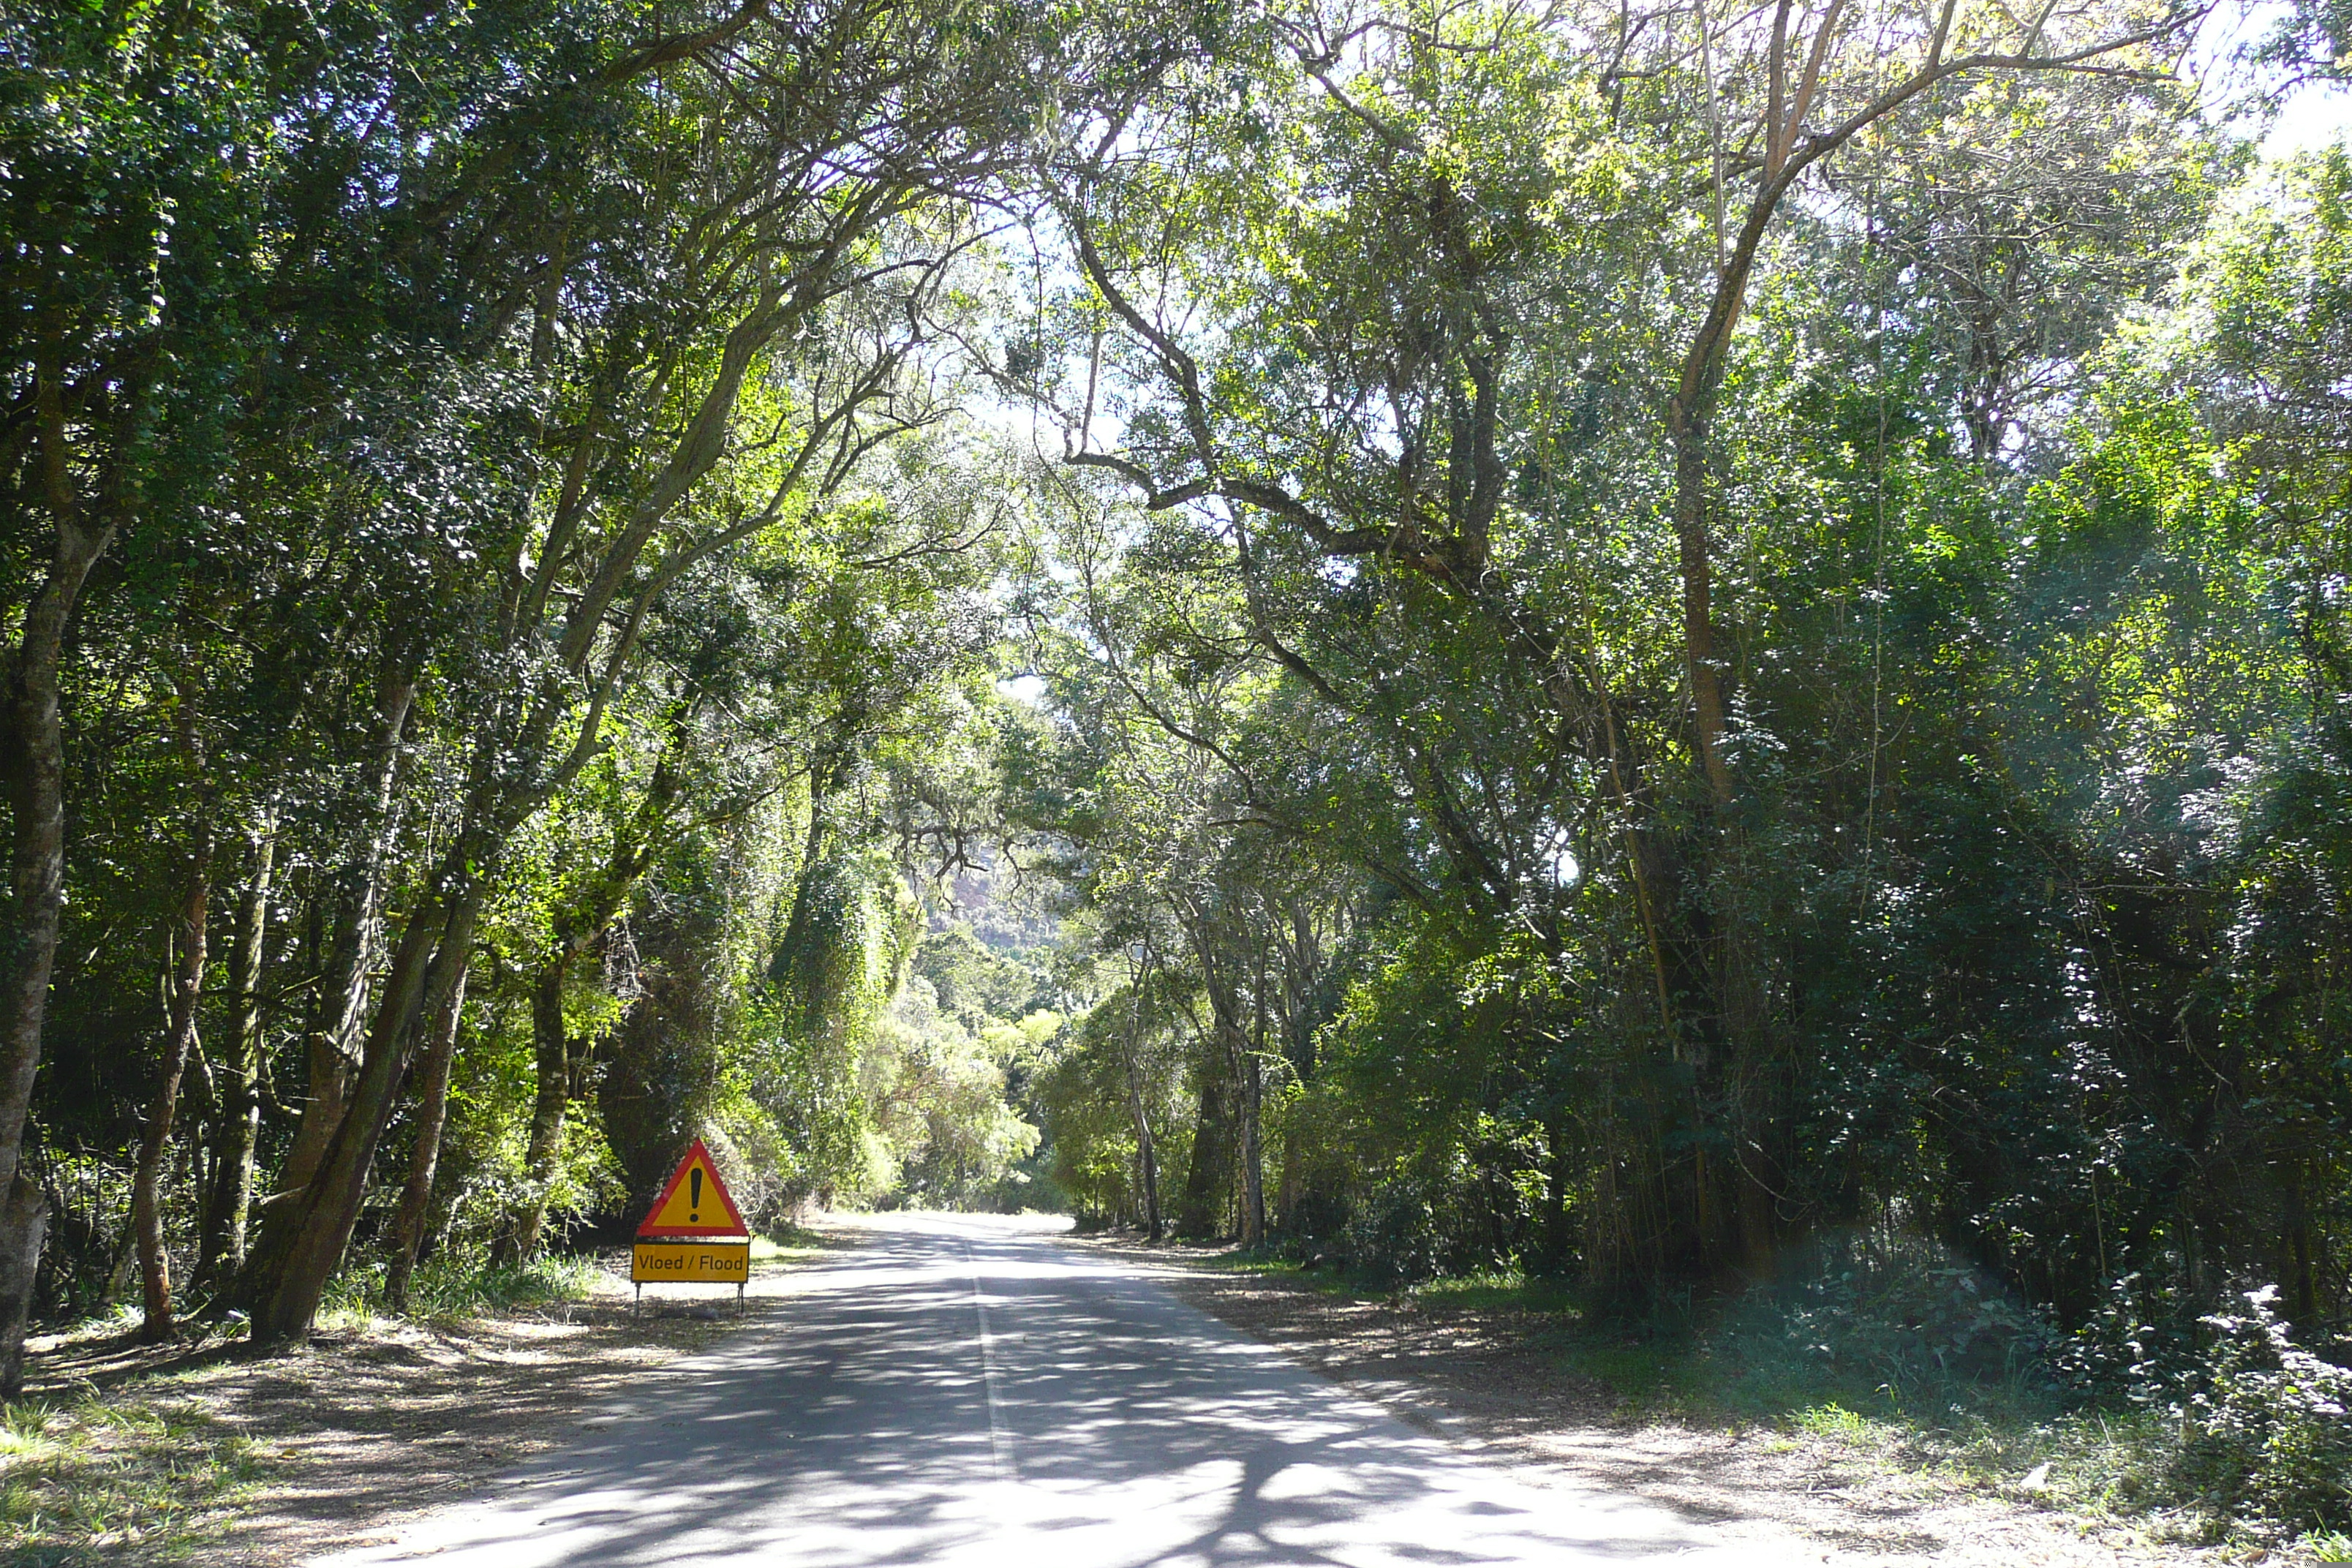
1488	1381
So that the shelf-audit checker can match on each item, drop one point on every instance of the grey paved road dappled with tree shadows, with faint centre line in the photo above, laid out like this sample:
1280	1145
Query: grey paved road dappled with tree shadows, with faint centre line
961	1393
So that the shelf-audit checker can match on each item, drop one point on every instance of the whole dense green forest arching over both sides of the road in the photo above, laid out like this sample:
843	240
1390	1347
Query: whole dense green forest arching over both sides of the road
1678	648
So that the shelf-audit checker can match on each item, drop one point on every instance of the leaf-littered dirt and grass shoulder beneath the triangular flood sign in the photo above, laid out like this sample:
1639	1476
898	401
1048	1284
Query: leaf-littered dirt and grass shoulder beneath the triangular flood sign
215	1456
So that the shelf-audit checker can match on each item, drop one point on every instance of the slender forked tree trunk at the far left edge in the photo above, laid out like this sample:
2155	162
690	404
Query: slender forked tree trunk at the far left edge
34	770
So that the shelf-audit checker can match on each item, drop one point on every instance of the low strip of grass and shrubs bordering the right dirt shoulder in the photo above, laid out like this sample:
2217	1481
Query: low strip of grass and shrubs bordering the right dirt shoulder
1885	1346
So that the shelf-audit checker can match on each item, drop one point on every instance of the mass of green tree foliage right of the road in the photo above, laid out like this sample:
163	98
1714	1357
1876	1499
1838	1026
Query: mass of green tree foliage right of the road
2007	934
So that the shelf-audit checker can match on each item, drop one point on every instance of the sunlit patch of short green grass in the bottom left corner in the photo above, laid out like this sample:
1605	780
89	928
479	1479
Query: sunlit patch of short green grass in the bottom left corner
100	1477
